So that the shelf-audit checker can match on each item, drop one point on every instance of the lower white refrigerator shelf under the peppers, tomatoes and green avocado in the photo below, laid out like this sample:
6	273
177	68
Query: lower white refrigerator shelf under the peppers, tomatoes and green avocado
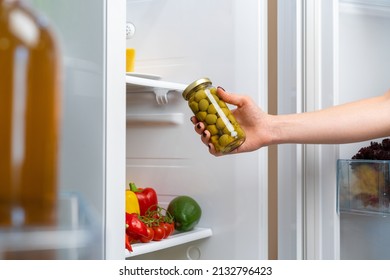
174	240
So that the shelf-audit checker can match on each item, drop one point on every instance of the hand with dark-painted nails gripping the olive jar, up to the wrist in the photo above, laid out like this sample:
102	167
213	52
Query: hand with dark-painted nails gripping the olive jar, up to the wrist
251	119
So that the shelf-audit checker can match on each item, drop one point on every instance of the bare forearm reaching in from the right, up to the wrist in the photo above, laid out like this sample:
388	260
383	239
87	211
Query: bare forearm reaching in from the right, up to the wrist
351	122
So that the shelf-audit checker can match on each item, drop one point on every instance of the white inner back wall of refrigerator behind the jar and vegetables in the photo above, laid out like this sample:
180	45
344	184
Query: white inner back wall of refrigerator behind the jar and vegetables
181	41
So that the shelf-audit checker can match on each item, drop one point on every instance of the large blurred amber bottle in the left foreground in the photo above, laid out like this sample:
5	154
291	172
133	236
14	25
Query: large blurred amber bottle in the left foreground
29	117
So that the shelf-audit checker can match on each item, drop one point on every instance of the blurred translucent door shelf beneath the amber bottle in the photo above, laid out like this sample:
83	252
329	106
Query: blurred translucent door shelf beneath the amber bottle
74	236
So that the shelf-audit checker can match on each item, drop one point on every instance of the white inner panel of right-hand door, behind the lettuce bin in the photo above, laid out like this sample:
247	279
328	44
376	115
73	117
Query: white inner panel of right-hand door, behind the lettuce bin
364	58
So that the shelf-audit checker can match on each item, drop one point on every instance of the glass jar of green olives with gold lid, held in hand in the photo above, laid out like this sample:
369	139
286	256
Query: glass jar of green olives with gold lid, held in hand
226	133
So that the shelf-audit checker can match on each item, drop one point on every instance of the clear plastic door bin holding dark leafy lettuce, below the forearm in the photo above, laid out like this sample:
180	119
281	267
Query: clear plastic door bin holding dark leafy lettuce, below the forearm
363	186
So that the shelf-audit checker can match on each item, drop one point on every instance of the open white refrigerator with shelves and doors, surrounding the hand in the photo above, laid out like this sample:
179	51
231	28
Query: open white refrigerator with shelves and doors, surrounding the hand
123	127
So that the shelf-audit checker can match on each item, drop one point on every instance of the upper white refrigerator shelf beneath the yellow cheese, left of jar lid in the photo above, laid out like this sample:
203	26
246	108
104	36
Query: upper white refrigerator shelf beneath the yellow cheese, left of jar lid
158	87
